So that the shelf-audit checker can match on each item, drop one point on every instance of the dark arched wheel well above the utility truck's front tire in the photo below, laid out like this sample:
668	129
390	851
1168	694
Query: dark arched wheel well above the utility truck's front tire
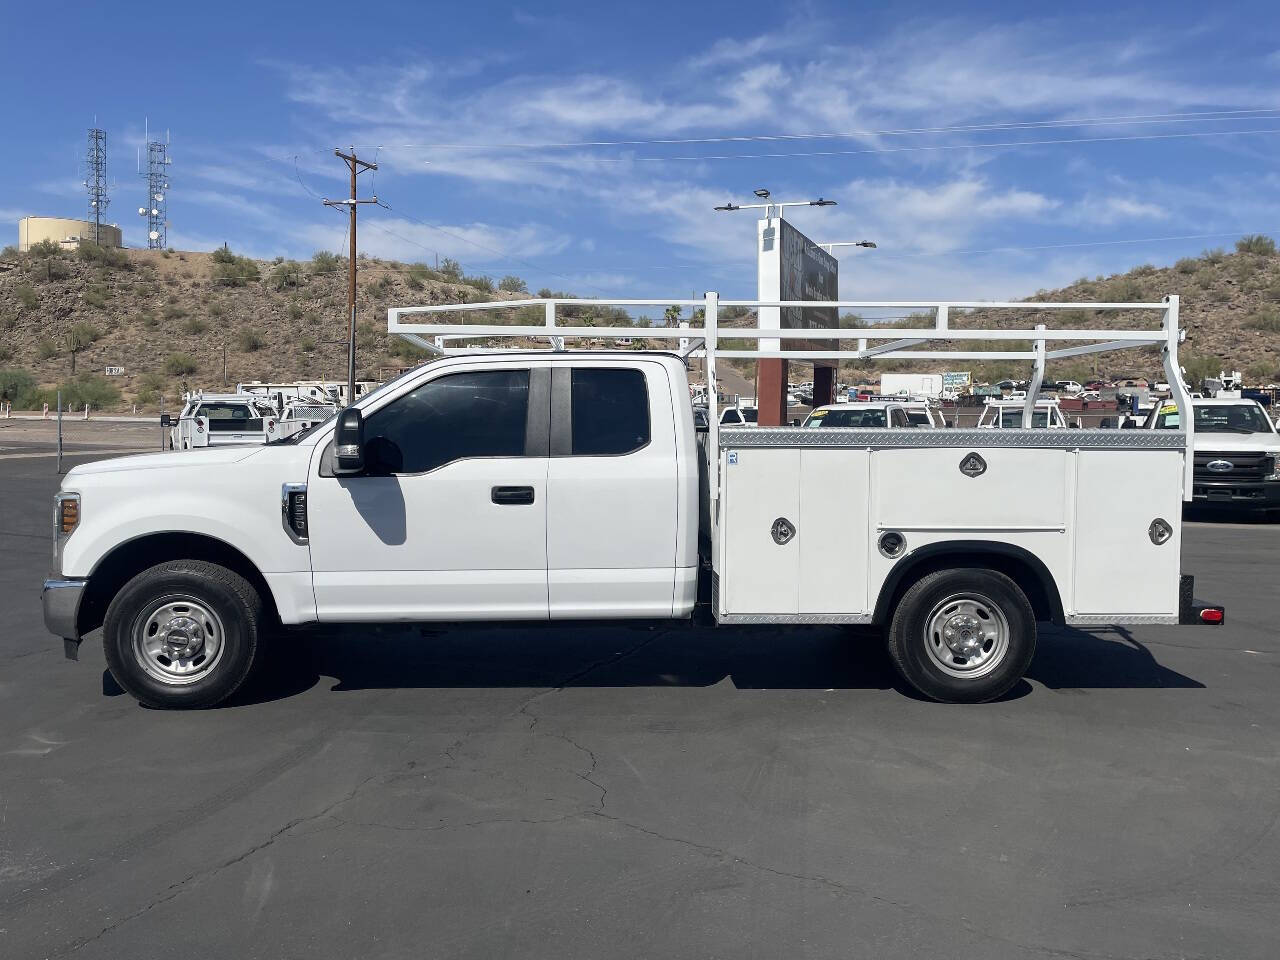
132	557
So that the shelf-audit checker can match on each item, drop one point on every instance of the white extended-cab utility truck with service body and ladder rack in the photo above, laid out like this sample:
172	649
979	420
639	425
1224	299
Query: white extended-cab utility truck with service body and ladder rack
564	486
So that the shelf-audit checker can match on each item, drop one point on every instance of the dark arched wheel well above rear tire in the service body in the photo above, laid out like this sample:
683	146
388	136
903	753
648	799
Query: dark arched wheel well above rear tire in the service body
1020	565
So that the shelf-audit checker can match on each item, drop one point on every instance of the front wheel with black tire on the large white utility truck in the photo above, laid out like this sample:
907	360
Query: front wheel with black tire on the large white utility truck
198	598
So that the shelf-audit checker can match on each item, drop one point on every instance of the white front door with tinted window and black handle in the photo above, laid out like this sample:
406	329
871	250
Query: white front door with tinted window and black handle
450	520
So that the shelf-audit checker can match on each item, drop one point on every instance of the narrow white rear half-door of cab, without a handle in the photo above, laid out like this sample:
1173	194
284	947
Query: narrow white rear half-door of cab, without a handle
612	491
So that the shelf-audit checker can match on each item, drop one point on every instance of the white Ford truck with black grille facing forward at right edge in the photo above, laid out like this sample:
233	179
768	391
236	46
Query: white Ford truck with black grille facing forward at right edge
1237	454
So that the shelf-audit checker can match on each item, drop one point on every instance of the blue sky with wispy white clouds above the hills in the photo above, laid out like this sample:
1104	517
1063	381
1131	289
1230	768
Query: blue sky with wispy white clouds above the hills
257	97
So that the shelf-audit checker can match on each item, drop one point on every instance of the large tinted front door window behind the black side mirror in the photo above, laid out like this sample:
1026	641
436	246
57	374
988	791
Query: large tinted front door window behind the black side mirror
452	418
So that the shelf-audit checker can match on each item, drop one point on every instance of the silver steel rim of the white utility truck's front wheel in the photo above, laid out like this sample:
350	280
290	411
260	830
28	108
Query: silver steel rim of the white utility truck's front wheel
179	641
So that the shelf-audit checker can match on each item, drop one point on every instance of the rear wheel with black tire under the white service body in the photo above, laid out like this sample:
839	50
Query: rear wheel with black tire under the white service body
985	598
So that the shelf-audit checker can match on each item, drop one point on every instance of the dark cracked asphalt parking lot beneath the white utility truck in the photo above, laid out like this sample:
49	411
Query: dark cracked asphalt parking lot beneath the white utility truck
602	792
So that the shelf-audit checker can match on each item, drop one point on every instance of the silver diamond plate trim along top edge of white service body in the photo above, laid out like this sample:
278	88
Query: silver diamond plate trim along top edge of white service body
943	437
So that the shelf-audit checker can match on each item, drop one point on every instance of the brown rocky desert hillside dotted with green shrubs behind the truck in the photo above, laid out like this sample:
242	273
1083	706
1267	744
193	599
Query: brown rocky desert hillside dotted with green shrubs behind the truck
171	318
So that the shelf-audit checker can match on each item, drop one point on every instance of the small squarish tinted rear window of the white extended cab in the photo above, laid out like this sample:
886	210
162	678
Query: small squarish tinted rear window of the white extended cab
611	412
